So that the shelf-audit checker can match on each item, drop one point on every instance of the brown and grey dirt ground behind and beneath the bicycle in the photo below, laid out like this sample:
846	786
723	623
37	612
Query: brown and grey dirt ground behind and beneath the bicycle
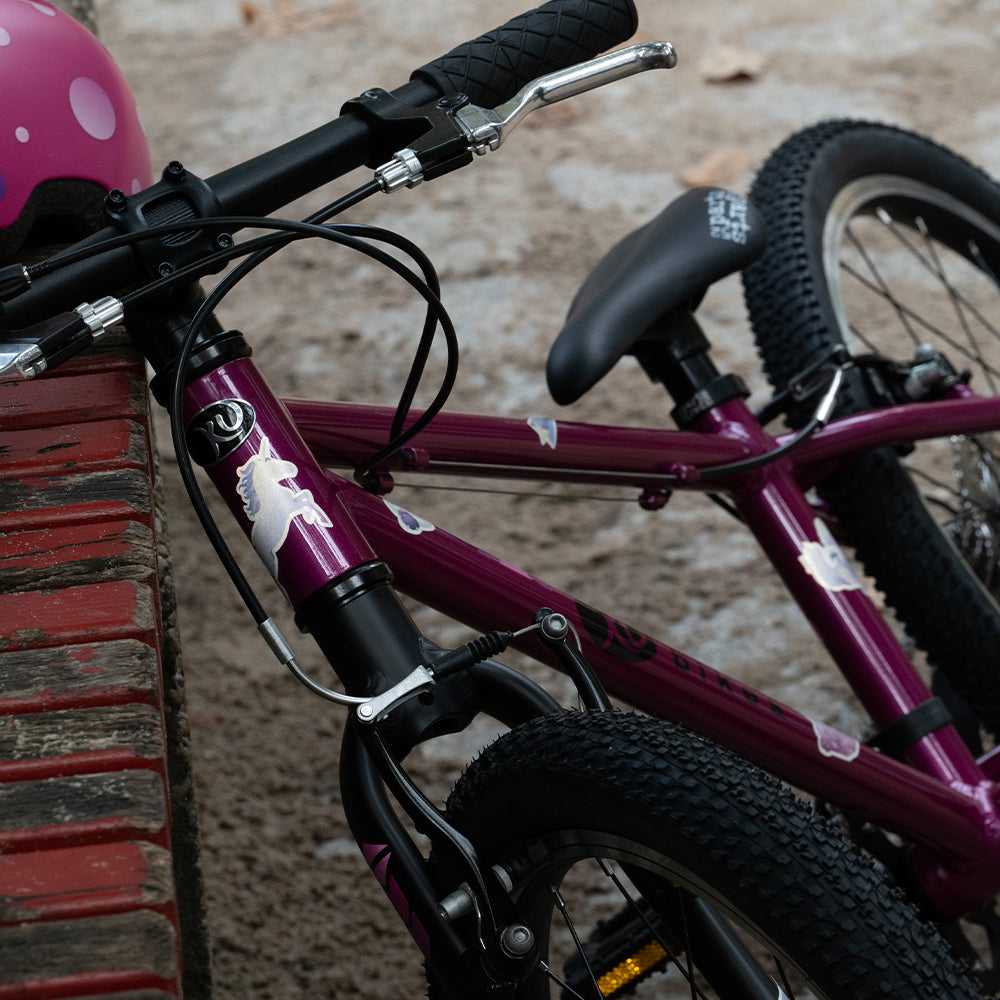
294	911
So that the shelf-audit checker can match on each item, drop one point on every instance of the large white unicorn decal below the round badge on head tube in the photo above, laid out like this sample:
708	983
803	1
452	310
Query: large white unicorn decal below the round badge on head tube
271	506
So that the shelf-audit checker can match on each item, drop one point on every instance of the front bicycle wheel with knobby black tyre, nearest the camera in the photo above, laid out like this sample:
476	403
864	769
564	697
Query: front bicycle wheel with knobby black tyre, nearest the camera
615	829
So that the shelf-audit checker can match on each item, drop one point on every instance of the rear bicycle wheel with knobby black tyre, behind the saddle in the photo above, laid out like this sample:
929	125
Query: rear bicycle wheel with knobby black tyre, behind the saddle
881	241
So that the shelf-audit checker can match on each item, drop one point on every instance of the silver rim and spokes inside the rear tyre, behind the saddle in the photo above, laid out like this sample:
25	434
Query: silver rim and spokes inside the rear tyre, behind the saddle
907	264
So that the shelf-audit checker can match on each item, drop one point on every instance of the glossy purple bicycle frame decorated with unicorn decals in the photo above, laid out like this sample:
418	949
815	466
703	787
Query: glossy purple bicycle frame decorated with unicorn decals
311	526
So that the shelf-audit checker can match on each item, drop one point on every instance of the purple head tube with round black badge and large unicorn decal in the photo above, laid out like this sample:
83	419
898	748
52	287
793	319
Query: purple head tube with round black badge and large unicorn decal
288	507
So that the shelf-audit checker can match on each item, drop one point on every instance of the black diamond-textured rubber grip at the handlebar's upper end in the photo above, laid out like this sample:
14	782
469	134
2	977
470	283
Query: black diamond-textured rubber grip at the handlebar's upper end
492	68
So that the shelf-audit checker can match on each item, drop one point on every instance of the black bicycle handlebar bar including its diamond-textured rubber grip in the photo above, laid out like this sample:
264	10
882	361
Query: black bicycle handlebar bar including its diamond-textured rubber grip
488	69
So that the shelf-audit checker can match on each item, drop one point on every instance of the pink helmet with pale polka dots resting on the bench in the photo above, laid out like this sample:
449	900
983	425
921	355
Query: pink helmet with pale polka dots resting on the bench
69	129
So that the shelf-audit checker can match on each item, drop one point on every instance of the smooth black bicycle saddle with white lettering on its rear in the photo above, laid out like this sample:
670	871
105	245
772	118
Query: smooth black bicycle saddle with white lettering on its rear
670	262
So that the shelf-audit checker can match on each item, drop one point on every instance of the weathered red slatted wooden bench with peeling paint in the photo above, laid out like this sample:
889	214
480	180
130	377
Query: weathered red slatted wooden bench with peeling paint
89	904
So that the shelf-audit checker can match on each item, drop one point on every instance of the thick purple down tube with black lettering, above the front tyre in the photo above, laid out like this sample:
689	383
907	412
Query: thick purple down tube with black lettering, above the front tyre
486	593
